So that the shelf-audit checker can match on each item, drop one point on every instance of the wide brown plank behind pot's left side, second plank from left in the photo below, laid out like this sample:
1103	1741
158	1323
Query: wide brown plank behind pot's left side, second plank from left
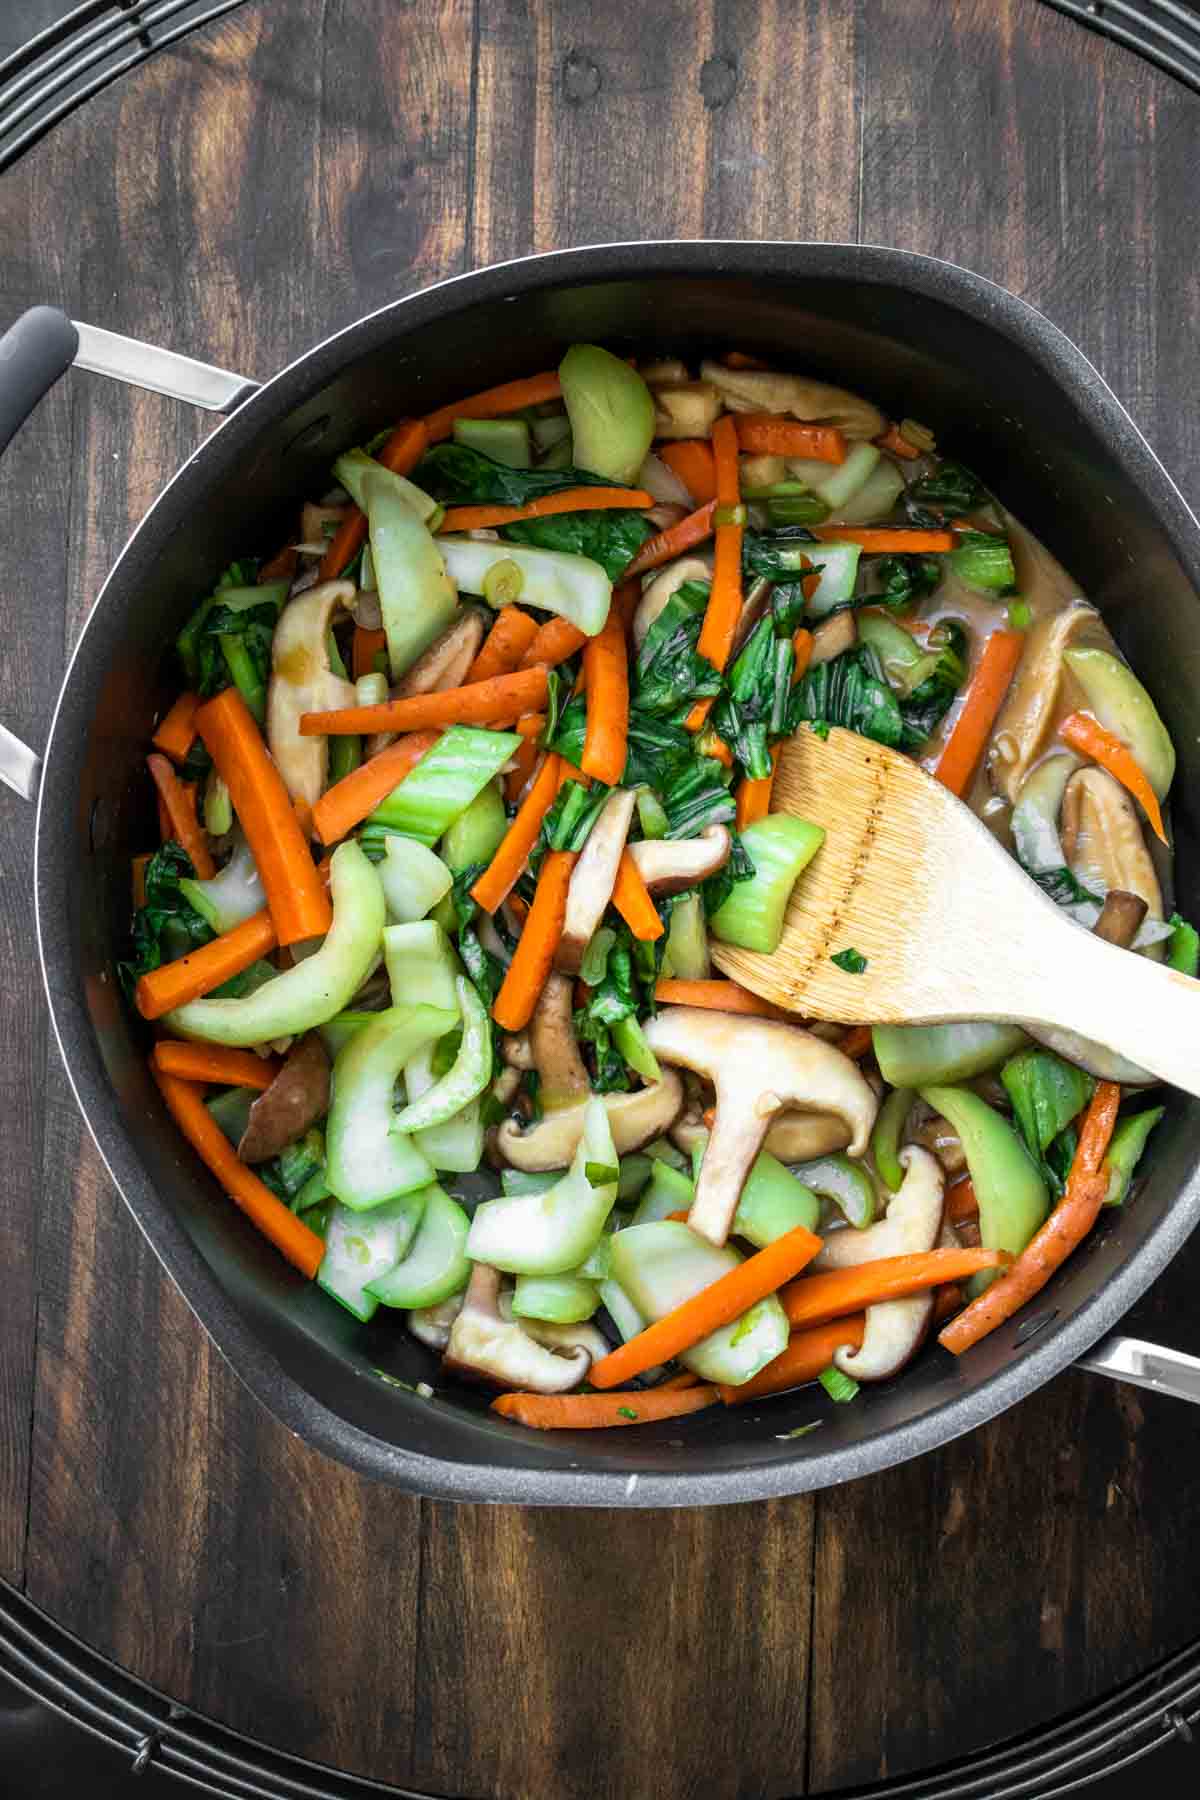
174	1524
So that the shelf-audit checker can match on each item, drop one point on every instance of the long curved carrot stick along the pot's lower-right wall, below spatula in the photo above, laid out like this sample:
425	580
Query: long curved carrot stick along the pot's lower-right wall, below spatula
1062	1232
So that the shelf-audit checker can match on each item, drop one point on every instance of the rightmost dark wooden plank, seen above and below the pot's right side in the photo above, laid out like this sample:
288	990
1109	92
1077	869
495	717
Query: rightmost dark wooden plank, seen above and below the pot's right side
1053	163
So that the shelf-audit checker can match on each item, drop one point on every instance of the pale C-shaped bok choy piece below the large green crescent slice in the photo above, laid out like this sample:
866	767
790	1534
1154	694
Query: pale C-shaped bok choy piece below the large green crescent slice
368	1160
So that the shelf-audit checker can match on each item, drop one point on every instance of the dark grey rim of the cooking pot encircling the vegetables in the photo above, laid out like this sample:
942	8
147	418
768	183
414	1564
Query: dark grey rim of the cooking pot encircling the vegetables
258	1369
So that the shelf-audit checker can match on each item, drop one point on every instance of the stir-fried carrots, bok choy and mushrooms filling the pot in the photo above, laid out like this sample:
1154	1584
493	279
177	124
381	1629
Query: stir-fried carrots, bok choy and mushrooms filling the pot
461	787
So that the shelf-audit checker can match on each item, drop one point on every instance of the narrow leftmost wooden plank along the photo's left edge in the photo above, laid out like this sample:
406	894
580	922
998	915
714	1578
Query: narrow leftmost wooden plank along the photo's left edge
35	496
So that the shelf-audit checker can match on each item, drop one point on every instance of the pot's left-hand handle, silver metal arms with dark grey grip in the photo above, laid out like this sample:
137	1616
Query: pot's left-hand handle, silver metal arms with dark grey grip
33	355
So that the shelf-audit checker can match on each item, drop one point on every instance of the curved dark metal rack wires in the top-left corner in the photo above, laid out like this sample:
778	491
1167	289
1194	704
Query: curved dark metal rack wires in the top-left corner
82	55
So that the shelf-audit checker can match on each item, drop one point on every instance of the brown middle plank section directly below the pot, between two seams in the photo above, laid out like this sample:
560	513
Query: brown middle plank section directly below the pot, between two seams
634	1655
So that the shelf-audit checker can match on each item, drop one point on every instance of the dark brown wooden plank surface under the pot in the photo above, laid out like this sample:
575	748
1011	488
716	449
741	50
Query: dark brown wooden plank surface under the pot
238	199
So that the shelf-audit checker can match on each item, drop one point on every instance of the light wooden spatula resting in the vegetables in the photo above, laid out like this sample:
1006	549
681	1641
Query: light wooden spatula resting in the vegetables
949	924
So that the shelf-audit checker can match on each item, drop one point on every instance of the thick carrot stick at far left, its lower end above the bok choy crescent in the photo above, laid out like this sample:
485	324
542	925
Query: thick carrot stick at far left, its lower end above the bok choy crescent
294	890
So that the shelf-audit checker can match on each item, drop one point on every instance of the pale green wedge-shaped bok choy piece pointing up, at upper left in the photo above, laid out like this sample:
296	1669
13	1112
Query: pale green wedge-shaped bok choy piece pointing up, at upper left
418	597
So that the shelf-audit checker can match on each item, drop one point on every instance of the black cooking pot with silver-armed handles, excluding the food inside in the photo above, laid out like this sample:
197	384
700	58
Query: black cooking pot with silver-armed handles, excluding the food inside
1003	390
